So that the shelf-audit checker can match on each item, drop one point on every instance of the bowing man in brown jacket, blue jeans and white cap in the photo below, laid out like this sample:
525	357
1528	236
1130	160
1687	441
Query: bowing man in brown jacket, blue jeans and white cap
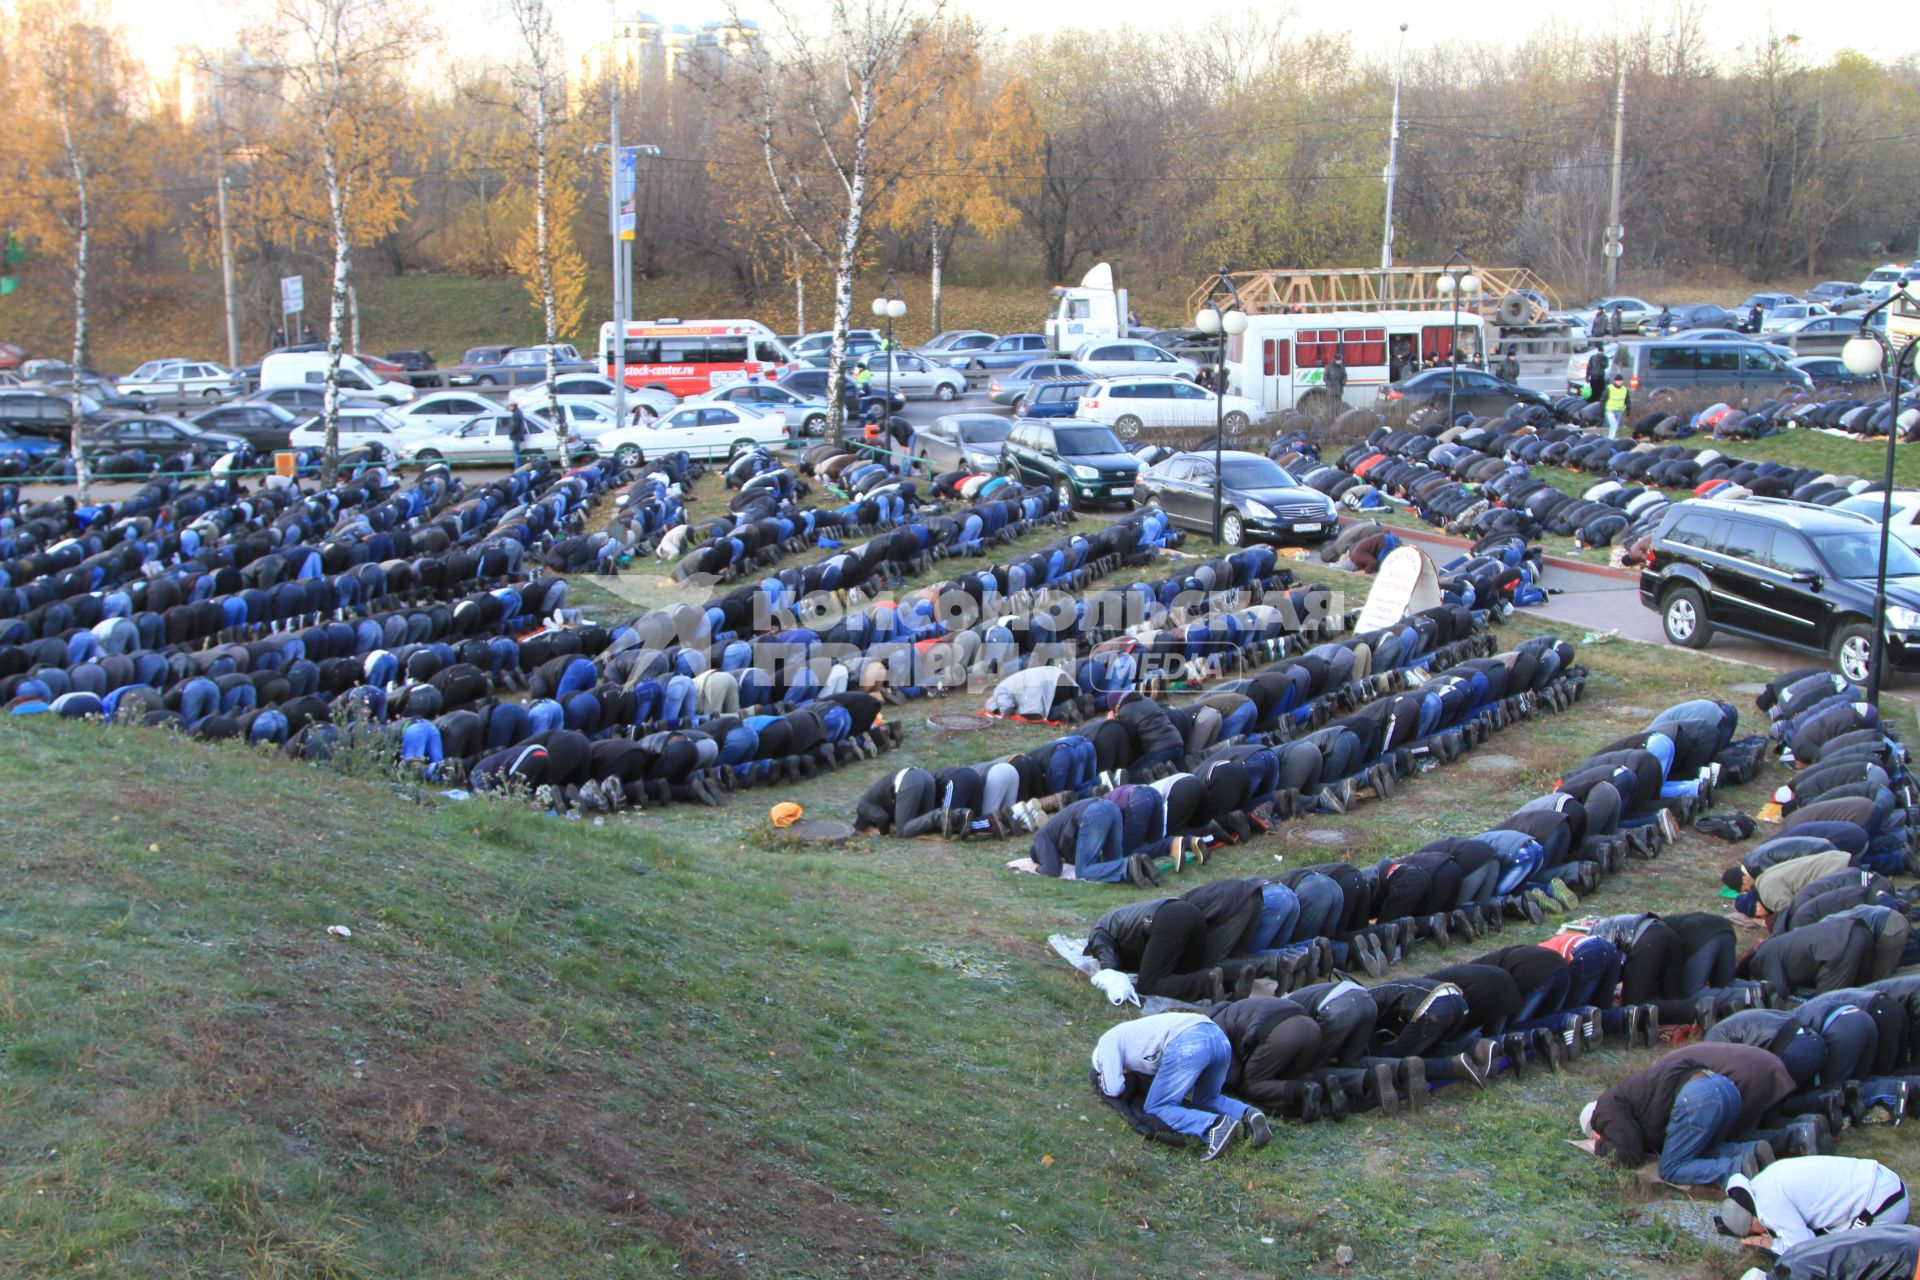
1698	1112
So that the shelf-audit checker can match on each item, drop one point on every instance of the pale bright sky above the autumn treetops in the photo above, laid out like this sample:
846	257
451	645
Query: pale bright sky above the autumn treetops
1884	30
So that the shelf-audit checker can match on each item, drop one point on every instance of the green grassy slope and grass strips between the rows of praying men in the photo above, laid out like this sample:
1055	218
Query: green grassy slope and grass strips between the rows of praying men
673	1043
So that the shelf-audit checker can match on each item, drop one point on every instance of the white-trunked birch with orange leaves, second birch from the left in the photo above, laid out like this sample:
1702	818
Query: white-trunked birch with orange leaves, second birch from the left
337	60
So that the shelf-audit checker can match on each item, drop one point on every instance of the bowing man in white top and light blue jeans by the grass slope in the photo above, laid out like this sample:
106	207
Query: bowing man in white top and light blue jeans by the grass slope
1188	1056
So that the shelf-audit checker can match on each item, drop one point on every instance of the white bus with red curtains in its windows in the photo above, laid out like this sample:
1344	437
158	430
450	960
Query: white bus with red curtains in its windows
1282	360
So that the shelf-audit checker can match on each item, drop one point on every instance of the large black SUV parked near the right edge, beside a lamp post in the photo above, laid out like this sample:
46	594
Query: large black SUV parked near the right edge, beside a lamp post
1787	573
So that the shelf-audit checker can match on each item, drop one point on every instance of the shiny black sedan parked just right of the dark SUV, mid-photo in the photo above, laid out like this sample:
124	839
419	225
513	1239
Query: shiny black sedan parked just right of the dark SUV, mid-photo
1259	498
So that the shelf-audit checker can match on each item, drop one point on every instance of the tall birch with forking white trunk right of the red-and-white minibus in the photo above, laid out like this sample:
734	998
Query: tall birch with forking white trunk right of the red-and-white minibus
836	112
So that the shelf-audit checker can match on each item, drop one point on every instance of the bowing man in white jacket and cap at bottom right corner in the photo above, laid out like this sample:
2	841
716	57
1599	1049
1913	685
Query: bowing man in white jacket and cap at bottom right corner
1794	1200
